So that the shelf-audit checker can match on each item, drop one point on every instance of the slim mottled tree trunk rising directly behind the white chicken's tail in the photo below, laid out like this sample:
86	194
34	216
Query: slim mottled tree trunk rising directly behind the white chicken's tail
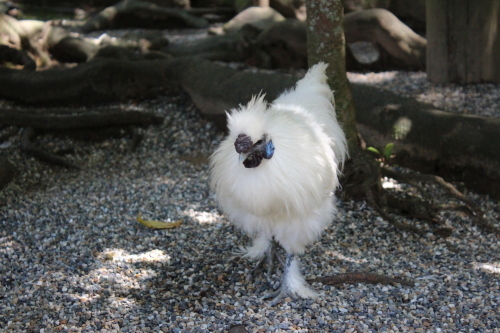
325	42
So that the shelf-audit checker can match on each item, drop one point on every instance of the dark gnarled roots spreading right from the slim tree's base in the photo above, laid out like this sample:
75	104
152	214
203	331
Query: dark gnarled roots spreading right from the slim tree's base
362	180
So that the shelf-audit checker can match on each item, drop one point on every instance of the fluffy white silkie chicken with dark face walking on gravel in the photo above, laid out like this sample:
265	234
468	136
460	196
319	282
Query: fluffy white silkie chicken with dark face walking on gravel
275	173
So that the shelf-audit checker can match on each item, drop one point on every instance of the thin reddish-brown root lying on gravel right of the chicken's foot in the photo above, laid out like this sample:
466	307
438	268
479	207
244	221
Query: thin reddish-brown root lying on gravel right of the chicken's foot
359	277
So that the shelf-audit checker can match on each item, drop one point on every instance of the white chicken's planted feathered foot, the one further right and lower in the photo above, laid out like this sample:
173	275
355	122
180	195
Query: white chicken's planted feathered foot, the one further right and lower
292	283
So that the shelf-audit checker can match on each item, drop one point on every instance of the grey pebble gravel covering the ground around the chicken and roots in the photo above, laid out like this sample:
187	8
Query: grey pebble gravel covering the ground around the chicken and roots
74	258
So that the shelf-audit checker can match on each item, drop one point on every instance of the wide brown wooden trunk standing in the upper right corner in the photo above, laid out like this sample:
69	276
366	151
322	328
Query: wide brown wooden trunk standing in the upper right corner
464	42
